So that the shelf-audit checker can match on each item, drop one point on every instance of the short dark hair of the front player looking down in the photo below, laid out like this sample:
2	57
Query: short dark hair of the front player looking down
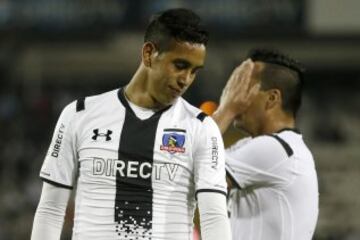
180	24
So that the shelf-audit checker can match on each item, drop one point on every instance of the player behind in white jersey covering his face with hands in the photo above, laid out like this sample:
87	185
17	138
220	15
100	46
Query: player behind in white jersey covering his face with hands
274	182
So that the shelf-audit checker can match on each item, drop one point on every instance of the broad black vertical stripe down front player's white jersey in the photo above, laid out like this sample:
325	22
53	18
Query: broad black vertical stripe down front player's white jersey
134	195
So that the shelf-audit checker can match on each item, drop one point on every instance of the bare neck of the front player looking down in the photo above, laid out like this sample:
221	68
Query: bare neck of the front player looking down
137	93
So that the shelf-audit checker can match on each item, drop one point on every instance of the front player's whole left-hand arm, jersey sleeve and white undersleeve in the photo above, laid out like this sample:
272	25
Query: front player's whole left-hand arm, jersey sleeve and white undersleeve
58	173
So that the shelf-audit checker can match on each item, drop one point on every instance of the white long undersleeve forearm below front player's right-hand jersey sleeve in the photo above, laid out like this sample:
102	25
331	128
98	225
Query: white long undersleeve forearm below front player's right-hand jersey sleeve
214	221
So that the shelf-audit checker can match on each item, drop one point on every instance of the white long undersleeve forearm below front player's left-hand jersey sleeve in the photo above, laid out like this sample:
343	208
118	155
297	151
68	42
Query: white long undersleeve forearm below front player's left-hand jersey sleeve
49	216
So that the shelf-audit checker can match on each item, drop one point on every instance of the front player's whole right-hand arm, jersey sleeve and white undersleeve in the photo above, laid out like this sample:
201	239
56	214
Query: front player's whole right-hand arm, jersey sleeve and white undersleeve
209	165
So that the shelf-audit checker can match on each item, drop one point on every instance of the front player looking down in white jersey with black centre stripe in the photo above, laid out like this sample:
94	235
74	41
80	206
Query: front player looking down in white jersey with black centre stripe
140	156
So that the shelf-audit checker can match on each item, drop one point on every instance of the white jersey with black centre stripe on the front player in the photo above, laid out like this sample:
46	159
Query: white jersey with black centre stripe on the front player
135	179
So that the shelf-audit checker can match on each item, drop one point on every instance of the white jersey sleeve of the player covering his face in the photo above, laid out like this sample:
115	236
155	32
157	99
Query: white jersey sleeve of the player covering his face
261	162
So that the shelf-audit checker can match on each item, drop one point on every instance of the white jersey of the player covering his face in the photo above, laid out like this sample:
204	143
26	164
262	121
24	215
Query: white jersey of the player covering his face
278	195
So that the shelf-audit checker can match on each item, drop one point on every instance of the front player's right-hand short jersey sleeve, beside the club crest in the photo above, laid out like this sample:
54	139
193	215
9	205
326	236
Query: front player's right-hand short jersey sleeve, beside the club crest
209	159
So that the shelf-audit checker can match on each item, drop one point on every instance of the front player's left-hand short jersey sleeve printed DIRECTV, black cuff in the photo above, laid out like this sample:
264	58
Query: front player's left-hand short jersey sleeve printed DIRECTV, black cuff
59	167
